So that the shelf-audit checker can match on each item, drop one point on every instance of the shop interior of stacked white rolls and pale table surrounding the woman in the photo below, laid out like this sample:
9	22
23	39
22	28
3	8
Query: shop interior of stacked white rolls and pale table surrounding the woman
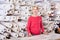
15	13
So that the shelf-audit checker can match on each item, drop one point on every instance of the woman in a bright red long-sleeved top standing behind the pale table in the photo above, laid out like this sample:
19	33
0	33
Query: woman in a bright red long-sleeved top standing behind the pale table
34	25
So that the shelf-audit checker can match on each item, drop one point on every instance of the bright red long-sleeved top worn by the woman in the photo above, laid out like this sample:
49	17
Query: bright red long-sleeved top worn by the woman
35	25
